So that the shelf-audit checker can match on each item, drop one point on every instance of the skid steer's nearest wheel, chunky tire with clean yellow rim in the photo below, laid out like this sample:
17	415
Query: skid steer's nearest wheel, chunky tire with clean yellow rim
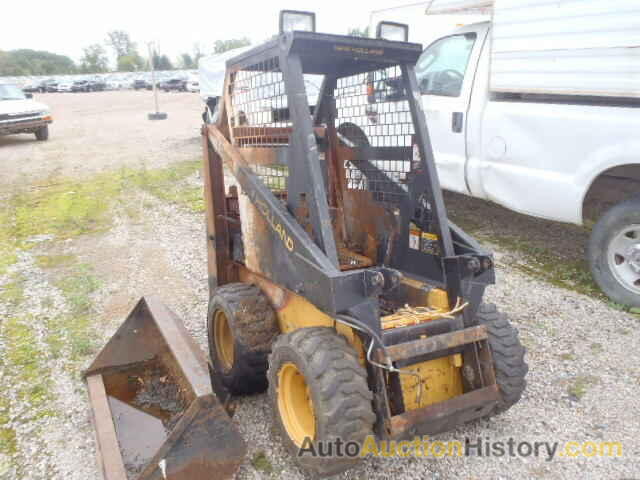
318	391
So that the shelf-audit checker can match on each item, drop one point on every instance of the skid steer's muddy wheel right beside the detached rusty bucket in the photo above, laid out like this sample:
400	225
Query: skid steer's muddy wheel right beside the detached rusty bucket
241	328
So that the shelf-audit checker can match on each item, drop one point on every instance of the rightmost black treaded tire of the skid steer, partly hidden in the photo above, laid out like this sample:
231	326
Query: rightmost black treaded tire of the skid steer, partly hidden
508	356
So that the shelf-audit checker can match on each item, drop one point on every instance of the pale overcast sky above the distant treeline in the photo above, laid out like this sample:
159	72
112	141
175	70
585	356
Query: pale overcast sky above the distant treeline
66	26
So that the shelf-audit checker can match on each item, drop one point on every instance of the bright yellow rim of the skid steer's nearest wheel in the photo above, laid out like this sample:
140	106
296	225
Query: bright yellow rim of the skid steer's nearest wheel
295	404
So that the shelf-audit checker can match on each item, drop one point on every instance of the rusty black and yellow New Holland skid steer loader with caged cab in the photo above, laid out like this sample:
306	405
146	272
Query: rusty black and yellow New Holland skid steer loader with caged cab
326	223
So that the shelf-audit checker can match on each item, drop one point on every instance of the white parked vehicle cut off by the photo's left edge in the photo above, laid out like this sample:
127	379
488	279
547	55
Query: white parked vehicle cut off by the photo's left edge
19	113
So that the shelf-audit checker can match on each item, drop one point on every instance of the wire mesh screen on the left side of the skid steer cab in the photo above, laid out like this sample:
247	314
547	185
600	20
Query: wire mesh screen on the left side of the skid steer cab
259	119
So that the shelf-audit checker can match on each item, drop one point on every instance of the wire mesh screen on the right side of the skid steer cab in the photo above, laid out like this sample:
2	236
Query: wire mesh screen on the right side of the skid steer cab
374	119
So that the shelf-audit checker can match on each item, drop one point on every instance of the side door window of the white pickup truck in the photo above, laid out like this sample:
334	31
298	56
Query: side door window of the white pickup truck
441	67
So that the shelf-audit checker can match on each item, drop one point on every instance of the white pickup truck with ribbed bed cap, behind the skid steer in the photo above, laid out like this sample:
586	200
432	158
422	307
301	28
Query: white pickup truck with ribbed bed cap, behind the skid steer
538	110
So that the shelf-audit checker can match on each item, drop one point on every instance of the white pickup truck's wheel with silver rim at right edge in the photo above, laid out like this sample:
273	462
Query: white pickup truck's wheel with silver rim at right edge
614	253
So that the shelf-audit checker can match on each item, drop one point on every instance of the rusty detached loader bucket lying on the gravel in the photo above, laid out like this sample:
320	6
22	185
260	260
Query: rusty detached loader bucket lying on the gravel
155	414
